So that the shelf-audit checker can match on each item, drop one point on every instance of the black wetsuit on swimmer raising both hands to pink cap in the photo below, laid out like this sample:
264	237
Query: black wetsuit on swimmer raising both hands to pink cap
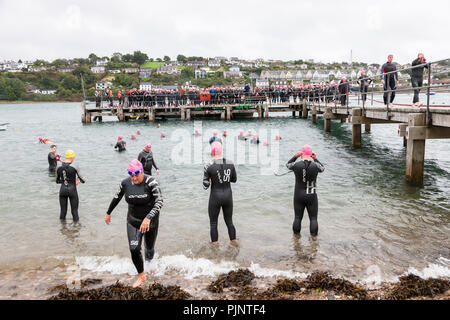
305	192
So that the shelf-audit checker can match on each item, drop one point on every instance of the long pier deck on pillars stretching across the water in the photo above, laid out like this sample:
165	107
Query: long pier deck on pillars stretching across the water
416	125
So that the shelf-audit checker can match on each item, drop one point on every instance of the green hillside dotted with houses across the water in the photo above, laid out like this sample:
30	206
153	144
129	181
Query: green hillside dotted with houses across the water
40	80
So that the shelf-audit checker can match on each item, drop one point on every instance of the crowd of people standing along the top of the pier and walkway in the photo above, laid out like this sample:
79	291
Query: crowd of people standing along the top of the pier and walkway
332	92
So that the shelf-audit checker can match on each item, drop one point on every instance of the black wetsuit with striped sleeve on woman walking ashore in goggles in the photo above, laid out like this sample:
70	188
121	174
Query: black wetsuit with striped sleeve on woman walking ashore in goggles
144	201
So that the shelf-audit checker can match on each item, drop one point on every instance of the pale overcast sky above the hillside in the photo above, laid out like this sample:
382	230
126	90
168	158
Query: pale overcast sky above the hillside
313	29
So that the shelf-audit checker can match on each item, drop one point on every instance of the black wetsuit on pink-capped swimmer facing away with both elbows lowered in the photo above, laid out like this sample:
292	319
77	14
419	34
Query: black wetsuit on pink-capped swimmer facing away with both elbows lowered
219	174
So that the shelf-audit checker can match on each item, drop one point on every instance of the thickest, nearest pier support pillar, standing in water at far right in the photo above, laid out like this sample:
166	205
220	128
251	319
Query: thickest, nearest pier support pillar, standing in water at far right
415	153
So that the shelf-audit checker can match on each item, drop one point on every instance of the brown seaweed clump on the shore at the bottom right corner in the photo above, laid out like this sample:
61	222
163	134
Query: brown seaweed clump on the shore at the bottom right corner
414	286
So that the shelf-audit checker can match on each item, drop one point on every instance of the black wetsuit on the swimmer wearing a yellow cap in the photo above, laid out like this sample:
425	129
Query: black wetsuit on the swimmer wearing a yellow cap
67	176
